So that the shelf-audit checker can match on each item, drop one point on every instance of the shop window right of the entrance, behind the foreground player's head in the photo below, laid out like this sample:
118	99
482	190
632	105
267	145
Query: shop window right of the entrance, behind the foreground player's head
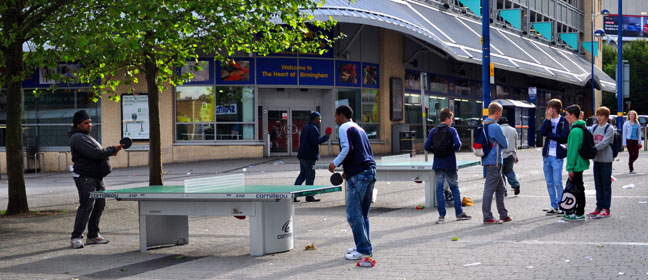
365	108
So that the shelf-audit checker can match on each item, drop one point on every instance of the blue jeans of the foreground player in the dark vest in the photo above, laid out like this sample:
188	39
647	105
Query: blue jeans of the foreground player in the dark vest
359	193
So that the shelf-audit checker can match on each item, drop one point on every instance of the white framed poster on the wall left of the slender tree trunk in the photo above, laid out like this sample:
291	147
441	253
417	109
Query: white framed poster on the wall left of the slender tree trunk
135	121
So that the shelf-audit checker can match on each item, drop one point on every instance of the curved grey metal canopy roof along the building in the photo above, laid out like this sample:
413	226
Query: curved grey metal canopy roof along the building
460	35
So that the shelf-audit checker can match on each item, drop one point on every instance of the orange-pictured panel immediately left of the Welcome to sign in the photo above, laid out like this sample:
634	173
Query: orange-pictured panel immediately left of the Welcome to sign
235	72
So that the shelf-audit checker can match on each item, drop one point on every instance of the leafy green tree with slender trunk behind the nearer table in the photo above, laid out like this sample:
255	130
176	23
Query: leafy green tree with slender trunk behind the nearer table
154	37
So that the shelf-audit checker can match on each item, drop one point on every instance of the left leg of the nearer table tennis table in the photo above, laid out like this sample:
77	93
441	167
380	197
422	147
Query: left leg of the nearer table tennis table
160	230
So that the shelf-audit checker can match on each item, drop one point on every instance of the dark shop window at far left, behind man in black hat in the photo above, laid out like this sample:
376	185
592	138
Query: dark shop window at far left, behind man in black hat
47	119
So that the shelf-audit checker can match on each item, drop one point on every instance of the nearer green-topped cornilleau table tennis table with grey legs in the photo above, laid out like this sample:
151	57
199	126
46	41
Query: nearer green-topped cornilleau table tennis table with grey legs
164	211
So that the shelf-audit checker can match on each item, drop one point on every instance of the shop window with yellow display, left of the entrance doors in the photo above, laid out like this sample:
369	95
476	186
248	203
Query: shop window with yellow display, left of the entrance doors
206	113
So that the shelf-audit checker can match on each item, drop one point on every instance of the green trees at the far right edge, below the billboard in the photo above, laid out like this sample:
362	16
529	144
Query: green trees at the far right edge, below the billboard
636	52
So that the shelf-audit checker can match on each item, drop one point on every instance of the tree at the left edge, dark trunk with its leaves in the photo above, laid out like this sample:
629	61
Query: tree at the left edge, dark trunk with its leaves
22	23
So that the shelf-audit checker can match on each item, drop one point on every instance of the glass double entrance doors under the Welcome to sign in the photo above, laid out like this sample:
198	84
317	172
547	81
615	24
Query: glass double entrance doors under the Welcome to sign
284	128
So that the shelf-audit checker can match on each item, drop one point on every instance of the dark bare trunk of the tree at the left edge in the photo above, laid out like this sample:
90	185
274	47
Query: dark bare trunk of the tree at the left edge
15	166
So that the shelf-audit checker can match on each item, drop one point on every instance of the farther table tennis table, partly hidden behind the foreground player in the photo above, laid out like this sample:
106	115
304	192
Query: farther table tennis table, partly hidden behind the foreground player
401	168
